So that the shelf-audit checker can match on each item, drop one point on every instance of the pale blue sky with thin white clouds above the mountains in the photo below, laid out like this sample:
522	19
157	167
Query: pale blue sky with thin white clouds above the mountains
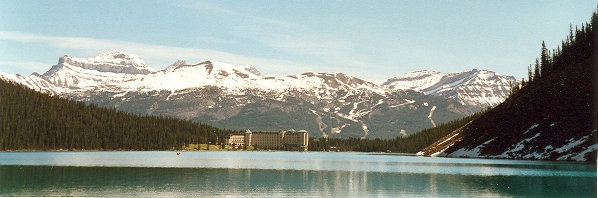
371	39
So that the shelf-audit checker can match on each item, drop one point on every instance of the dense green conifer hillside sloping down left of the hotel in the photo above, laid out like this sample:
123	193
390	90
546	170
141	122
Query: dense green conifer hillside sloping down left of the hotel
30	120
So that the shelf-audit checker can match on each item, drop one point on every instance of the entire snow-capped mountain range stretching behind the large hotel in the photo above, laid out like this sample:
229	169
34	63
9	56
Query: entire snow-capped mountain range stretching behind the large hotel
239	97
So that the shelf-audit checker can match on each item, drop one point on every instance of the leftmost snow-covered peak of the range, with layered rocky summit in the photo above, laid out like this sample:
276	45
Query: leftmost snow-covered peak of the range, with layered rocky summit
75	75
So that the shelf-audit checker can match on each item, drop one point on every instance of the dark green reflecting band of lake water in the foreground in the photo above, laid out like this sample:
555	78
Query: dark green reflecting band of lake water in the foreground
139	181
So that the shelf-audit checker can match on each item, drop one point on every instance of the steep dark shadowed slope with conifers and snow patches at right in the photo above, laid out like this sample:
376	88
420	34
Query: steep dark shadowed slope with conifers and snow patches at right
551	116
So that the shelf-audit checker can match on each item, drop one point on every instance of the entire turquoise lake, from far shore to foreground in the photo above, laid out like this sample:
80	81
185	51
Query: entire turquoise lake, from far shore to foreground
285	174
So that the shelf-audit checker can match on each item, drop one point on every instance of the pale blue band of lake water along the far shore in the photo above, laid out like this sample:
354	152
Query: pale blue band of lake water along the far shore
301	161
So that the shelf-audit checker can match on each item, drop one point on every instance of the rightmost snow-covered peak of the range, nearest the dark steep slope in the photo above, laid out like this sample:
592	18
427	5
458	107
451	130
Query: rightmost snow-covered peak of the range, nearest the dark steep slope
479	88
